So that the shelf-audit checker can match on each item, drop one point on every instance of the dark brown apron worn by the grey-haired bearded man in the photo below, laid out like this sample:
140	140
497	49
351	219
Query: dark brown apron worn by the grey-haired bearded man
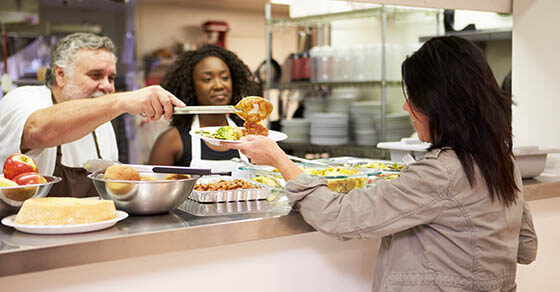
74	179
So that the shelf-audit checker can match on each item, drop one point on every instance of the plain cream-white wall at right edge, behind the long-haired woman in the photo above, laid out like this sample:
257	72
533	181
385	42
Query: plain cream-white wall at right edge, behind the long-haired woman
535	76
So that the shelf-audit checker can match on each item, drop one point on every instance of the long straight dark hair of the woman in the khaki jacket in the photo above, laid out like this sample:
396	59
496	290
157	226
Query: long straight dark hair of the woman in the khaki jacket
449	81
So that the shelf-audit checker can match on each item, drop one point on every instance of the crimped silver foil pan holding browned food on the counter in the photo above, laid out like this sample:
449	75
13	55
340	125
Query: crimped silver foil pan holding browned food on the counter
229	195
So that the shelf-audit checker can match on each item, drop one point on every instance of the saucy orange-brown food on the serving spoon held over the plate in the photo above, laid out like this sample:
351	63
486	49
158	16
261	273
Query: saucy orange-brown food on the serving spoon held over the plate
253	110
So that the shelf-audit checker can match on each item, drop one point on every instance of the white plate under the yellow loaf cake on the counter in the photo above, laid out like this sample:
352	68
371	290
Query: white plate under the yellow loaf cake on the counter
63	229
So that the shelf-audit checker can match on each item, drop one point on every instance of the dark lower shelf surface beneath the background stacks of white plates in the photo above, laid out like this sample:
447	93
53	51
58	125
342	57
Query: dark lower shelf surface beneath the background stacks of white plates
300	149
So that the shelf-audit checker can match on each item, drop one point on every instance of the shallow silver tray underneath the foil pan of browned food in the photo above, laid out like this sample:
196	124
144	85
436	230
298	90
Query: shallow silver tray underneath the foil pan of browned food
231	208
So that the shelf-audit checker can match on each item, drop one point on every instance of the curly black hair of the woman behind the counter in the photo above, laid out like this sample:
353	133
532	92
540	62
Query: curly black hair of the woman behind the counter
179	79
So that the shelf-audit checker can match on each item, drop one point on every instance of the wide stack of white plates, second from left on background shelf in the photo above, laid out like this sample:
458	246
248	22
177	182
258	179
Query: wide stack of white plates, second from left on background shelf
329	129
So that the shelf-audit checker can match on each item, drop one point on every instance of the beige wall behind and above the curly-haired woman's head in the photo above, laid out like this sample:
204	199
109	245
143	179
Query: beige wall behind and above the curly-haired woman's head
161	25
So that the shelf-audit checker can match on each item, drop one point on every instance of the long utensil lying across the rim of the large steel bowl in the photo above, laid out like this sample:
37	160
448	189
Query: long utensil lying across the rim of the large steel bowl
100	165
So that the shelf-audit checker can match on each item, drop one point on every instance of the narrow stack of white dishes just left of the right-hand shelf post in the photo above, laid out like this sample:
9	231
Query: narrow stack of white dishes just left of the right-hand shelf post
364	115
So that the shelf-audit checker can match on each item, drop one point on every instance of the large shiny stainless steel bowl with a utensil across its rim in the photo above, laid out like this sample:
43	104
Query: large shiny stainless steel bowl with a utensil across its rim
144	197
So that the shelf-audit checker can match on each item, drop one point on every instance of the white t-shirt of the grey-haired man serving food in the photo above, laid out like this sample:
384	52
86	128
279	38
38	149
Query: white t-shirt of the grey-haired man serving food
19	104
